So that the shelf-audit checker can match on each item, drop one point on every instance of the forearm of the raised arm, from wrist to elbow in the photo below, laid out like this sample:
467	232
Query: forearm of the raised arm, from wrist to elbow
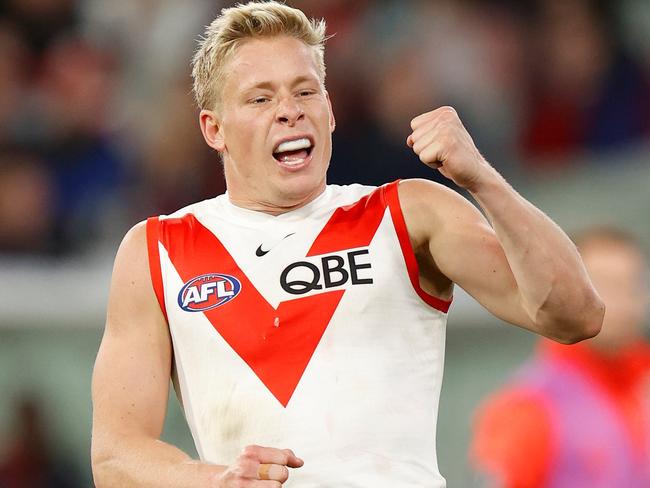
553	285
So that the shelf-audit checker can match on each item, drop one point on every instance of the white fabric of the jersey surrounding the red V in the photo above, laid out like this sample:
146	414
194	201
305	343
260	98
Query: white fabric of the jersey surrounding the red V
364	412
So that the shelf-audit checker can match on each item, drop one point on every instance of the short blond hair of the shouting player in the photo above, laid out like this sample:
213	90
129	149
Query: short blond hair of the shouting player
252	20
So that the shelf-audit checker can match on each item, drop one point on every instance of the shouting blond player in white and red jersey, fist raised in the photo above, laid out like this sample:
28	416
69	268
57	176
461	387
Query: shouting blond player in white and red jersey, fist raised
305	316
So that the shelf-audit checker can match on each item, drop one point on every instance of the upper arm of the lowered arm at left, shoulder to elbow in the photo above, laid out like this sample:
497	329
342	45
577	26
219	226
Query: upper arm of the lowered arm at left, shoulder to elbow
131	375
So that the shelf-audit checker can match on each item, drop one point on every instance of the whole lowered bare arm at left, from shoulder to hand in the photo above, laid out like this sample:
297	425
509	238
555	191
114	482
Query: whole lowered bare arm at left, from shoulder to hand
130	392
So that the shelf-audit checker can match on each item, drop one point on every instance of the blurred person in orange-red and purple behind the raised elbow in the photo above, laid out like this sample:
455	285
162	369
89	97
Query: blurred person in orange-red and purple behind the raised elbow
579	416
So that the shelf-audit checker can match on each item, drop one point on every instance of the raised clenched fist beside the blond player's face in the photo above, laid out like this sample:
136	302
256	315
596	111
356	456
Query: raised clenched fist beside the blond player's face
442	142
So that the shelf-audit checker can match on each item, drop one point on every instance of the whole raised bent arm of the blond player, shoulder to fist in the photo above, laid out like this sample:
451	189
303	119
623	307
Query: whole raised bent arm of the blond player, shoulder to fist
522	267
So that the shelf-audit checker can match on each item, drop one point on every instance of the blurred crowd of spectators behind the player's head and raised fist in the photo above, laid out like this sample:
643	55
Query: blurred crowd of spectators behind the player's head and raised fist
98	129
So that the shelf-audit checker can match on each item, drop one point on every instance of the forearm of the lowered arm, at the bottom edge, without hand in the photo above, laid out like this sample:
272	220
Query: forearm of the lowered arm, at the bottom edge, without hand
149	463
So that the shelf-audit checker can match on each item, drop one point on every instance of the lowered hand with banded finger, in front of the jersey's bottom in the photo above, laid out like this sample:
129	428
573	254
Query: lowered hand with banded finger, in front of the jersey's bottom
246	472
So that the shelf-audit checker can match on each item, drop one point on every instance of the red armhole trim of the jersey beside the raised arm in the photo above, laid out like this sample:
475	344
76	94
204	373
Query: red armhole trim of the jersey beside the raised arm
392	198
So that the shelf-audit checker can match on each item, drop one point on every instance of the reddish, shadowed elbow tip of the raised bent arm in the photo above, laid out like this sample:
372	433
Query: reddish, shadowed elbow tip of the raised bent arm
579	324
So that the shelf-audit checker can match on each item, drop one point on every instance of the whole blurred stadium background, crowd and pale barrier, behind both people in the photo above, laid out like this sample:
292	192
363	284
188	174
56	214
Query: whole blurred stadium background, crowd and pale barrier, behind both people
98	131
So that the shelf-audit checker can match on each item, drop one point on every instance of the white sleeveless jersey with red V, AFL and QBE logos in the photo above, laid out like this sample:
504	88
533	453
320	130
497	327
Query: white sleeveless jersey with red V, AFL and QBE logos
308	331
